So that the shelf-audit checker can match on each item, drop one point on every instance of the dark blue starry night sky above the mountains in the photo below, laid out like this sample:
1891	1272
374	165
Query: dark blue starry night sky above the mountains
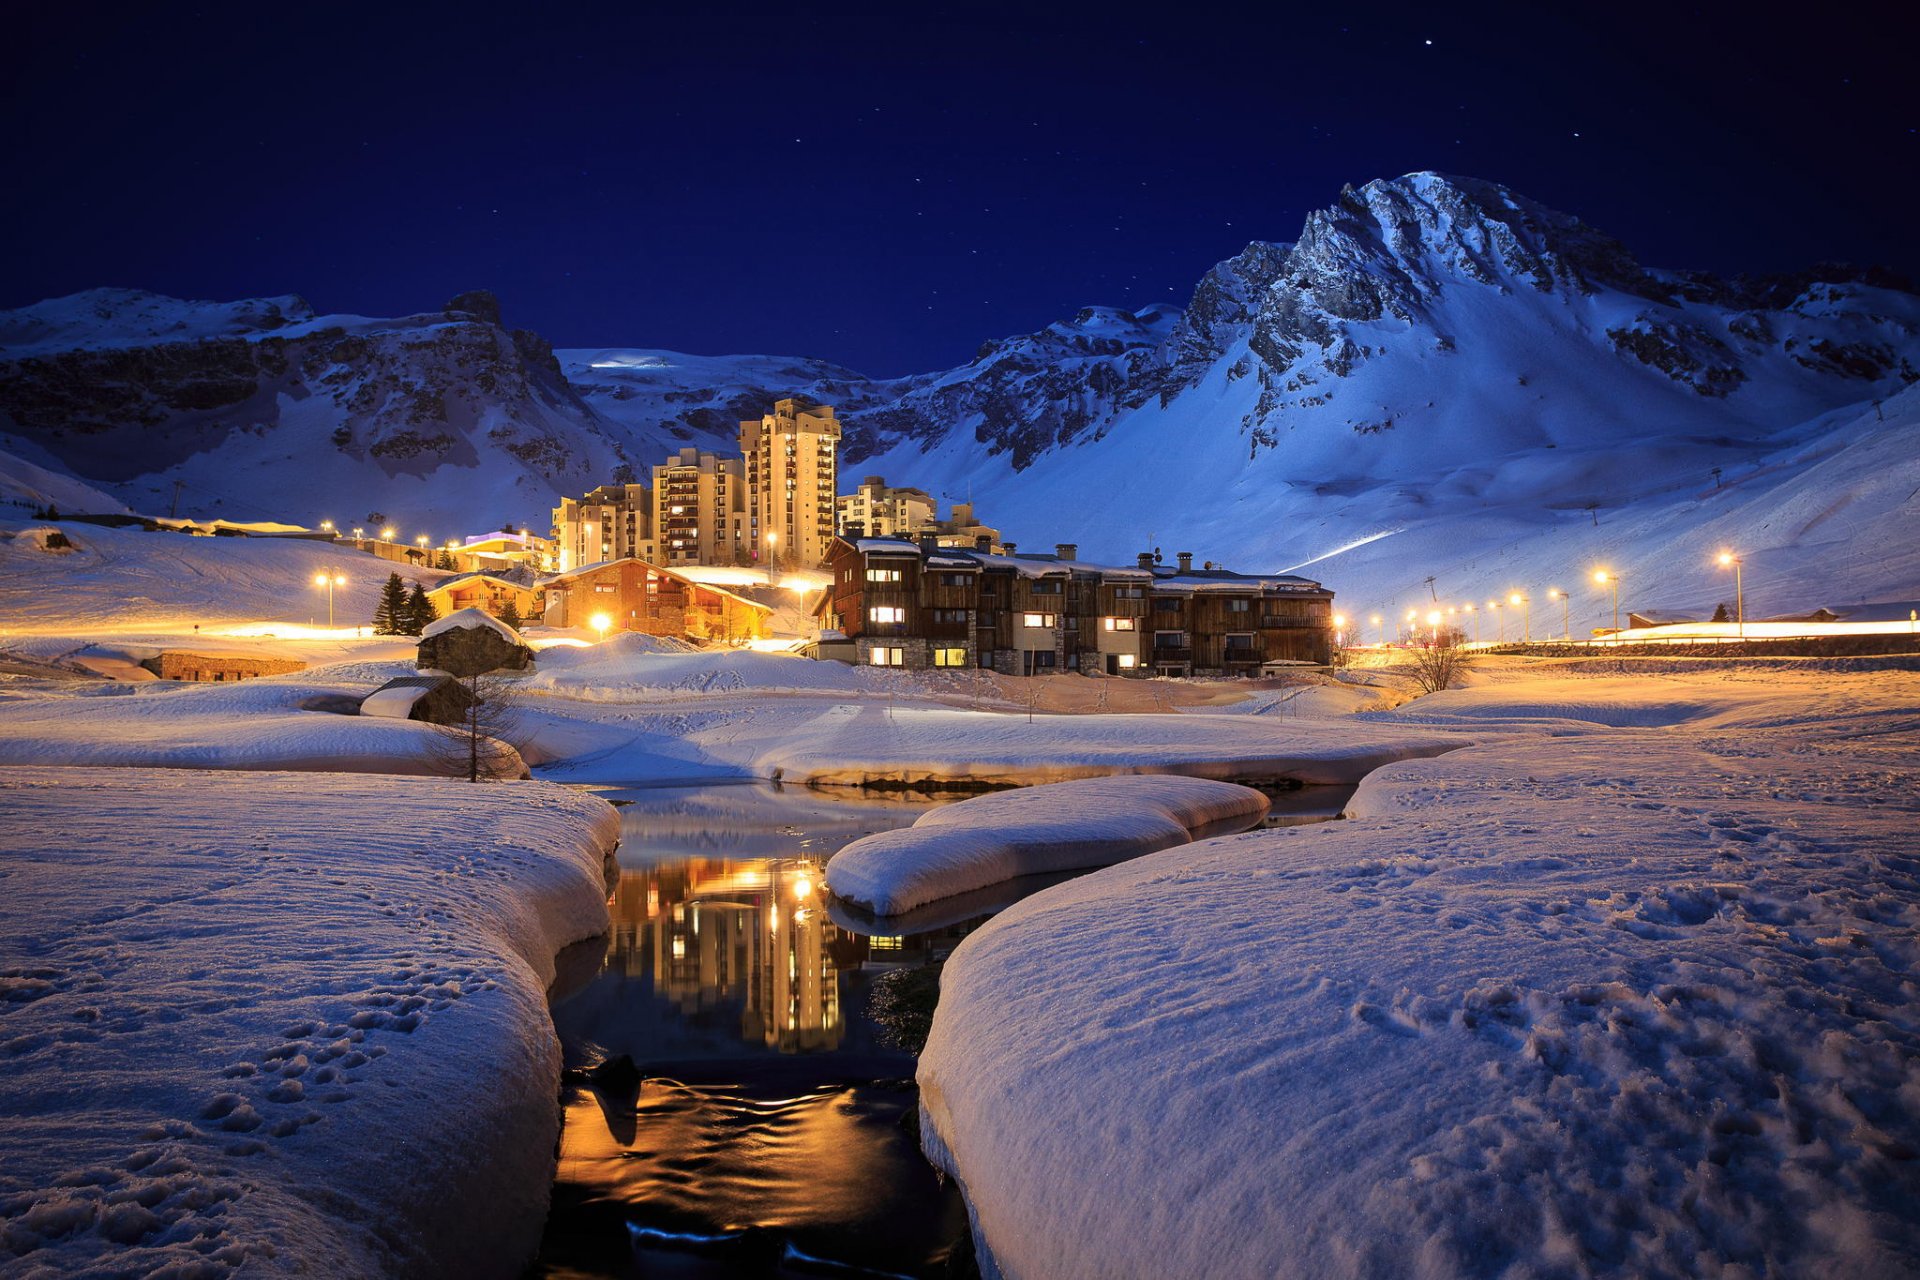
886	189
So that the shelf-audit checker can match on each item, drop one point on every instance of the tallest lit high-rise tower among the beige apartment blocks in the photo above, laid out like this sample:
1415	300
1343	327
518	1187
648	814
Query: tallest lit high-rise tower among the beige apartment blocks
792	481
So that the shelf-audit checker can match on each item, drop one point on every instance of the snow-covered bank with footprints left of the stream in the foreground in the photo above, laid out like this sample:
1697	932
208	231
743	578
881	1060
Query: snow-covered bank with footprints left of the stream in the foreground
283	1024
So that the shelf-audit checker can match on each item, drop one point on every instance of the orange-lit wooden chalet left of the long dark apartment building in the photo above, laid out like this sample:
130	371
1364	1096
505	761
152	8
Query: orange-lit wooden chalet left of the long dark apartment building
636	596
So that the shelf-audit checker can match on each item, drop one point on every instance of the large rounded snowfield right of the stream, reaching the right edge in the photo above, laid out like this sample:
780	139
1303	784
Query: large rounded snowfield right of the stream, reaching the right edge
1602	1001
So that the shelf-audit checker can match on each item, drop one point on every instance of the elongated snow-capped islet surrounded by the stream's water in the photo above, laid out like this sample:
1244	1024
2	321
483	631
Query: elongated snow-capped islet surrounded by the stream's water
1061	828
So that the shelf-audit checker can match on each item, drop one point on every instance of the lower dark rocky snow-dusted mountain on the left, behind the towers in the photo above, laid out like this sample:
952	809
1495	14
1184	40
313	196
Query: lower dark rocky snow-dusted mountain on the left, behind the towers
264	410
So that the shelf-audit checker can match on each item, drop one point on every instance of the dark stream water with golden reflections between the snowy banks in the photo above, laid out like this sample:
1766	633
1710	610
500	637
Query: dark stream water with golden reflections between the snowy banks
767	1124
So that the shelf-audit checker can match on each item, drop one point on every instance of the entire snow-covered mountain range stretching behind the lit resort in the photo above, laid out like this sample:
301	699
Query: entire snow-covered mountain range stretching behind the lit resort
1439	377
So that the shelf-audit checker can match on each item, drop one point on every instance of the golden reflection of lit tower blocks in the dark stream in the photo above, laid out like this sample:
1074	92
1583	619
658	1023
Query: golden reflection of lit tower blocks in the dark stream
721	934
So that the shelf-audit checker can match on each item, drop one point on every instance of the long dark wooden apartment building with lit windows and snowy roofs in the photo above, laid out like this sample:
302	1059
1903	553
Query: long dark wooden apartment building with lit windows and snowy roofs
921	605
